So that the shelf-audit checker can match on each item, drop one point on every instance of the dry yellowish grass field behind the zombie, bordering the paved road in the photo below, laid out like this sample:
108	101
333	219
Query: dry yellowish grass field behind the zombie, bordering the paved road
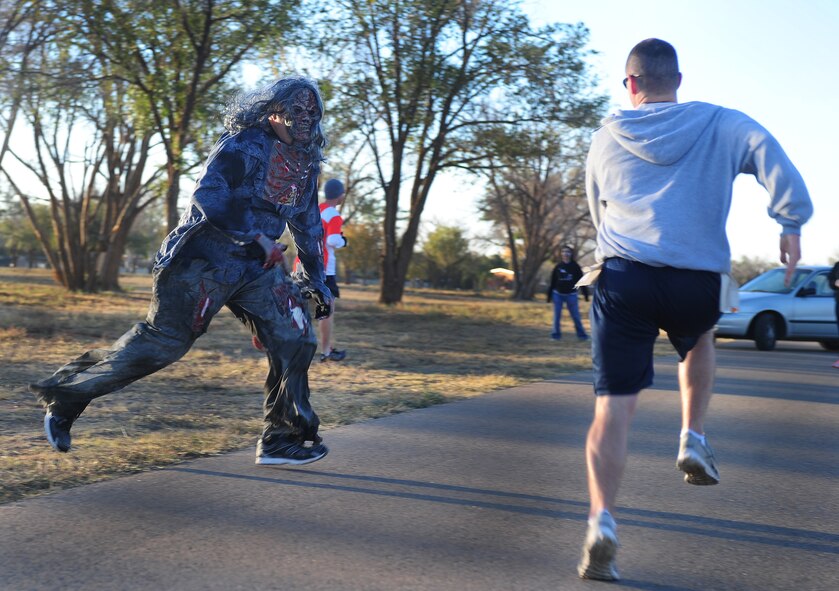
434	347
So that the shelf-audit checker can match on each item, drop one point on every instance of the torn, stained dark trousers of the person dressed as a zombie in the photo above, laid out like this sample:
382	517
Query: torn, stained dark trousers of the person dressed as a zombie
206	275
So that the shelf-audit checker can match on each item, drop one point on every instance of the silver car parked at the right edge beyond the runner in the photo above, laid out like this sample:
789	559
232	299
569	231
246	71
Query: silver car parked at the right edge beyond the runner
769	311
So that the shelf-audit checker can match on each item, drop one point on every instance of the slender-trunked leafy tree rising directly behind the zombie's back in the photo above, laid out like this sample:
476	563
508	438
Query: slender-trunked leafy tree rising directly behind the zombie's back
179	59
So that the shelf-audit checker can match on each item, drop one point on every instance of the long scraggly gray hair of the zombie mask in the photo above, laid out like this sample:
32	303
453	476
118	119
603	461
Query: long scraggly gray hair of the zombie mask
253	109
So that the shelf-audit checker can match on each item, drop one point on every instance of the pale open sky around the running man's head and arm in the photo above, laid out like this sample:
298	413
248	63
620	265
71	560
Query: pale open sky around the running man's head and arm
775	60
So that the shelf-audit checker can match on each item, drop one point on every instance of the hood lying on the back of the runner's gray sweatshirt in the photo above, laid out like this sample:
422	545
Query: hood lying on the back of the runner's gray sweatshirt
661	135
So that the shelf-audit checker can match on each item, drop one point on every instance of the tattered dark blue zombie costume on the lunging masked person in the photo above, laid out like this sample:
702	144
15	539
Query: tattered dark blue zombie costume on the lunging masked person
220	254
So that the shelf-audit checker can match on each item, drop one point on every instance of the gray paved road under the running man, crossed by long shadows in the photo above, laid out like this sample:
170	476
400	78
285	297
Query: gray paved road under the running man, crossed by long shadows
485	494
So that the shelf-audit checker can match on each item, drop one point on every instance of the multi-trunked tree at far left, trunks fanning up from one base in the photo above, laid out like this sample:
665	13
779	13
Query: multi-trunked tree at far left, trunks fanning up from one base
89	161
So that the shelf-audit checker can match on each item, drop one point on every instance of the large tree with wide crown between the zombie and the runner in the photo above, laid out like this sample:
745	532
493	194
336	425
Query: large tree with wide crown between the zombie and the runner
420	79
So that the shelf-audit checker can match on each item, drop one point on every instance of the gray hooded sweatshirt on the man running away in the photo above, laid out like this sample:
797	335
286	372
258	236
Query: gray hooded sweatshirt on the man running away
659	183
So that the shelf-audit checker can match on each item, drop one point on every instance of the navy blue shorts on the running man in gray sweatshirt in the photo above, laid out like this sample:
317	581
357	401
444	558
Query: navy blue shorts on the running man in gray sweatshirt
632	303
